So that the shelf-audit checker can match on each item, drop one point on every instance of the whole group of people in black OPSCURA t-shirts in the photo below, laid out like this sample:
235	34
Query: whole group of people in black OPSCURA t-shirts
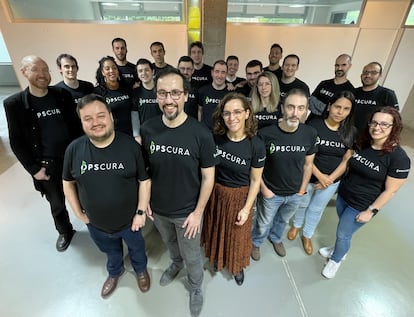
199	150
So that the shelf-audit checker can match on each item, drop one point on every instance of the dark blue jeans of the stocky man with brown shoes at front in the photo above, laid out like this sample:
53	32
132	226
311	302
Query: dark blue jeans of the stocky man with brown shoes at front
111	245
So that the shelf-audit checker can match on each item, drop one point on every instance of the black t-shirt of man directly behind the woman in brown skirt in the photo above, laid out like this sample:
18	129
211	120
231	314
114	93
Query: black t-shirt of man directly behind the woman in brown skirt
209	98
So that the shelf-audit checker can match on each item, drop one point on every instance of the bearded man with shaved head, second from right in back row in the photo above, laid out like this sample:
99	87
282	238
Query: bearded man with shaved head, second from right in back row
326	89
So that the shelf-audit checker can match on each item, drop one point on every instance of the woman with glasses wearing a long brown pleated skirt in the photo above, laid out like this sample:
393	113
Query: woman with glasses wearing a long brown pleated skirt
226	232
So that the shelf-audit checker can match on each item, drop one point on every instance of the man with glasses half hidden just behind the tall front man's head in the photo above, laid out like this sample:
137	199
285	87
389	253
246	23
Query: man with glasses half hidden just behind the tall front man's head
186	68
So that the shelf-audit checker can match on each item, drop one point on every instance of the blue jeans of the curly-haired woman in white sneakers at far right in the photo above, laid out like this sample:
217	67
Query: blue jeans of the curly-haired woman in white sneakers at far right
347	226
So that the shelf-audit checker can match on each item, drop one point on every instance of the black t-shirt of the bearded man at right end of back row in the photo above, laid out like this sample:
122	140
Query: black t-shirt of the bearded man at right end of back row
366	102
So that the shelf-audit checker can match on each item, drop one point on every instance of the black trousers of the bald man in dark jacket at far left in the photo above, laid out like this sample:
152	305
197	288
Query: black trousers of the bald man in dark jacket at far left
53	191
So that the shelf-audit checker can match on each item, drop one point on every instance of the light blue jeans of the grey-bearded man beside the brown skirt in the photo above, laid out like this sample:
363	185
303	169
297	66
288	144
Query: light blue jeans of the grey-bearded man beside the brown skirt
272	216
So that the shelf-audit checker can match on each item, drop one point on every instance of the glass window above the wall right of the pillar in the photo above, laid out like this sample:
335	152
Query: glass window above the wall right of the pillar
295	11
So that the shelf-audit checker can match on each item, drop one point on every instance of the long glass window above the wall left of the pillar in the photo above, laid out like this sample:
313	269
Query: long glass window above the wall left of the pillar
98	10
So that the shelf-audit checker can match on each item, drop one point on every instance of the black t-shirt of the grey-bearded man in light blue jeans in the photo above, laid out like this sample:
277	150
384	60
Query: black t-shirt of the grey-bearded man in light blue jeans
285	157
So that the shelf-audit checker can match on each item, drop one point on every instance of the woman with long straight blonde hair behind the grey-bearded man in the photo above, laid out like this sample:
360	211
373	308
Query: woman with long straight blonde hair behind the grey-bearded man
265	99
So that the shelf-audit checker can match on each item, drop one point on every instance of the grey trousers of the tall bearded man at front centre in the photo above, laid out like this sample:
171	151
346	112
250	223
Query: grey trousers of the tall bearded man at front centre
182	250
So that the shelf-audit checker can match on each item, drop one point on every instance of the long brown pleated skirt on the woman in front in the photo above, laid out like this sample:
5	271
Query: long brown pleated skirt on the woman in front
225	242
